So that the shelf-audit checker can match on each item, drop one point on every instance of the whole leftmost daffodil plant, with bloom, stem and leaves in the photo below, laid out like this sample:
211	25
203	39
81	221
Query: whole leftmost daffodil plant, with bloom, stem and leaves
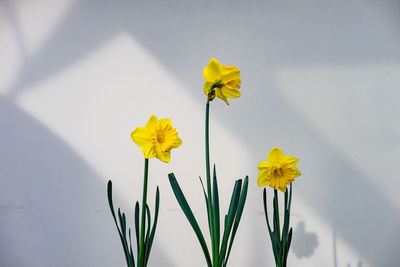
157	138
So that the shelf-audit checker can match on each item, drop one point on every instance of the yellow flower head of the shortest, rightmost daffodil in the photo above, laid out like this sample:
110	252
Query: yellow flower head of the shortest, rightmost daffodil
279	171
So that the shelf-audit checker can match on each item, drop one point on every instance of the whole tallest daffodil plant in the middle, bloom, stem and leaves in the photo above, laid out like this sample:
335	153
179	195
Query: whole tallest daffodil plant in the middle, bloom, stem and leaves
221	243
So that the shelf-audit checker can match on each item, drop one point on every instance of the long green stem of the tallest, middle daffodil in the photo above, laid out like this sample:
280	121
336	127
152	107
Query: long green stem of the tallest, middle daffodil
210	208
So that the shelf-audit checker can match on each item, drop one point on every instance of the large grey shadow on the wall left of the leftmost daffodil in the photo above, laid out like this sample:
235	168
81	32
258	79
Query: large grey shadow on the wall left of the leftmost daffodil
52	205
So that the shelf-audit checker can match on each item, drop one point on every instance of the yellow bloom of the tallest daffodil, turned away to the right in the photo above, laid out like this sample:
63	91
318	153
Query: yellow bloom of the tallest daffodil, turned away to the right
224	81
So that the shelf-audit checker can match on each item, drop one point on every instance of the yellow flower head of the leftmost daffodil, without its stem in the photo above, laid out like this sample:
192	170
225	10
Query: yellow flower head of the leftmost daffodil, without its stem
157	138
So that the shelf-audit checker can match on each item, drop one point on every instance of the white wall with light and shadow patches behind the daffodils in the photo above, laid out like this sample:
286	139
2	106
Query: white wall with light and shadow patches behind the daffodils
320	79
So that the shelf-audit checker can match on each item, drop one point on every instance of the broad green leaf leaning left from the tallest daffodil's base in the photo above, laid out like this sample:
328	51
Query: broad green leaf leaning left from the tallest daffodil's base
180	197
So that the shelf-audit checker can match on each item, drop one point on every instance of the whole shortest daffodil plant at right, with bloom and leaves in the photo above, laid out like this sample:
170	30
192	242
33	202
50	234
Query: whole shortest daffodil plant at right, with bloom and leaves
278	172
